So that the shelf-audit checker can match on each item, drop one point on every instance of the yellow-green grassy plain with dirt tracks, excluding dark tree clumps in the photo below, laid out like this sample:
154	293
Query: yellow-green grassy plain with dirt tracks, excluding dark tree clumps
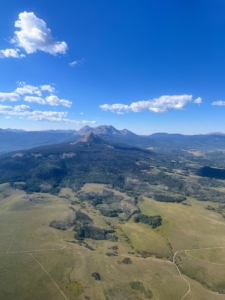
38	261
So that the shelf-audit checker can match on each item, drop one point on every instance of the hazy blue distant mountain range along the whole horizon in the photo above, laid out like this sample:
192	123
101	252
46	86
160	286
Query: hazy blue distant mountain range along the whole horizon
13	139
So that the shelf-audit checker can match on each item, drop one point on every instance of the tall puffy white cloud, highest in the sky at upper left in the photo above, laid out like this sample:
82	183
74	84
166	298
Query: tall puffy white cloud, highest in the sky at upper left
34	35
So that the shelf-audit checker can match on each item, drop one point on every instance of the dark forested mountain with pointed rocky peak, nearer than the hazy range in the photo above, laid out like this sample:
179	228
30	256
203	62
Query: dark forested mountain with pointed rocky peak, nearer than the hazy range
90	159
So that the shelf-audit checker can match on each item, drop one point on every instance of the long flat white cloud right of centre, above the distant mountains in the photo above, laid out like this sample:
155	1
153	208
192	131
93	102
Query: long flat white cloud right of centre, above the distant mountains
157	105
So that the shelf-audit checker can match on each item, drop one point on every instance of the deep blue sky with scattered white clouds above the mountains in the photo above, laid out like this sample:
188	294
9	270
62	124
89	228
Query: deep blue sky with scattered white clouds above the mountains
148	66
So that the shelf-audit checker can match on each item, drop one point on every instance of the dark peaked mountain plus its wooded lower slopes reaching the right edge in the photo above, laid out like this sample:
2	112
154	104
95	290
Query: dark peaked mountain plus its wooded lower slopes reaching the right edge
123	167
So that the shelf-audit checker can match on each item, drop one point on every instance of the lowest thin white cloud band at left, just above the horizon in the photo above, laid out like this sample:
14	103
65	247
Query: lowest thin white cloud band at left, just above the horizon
36	115
